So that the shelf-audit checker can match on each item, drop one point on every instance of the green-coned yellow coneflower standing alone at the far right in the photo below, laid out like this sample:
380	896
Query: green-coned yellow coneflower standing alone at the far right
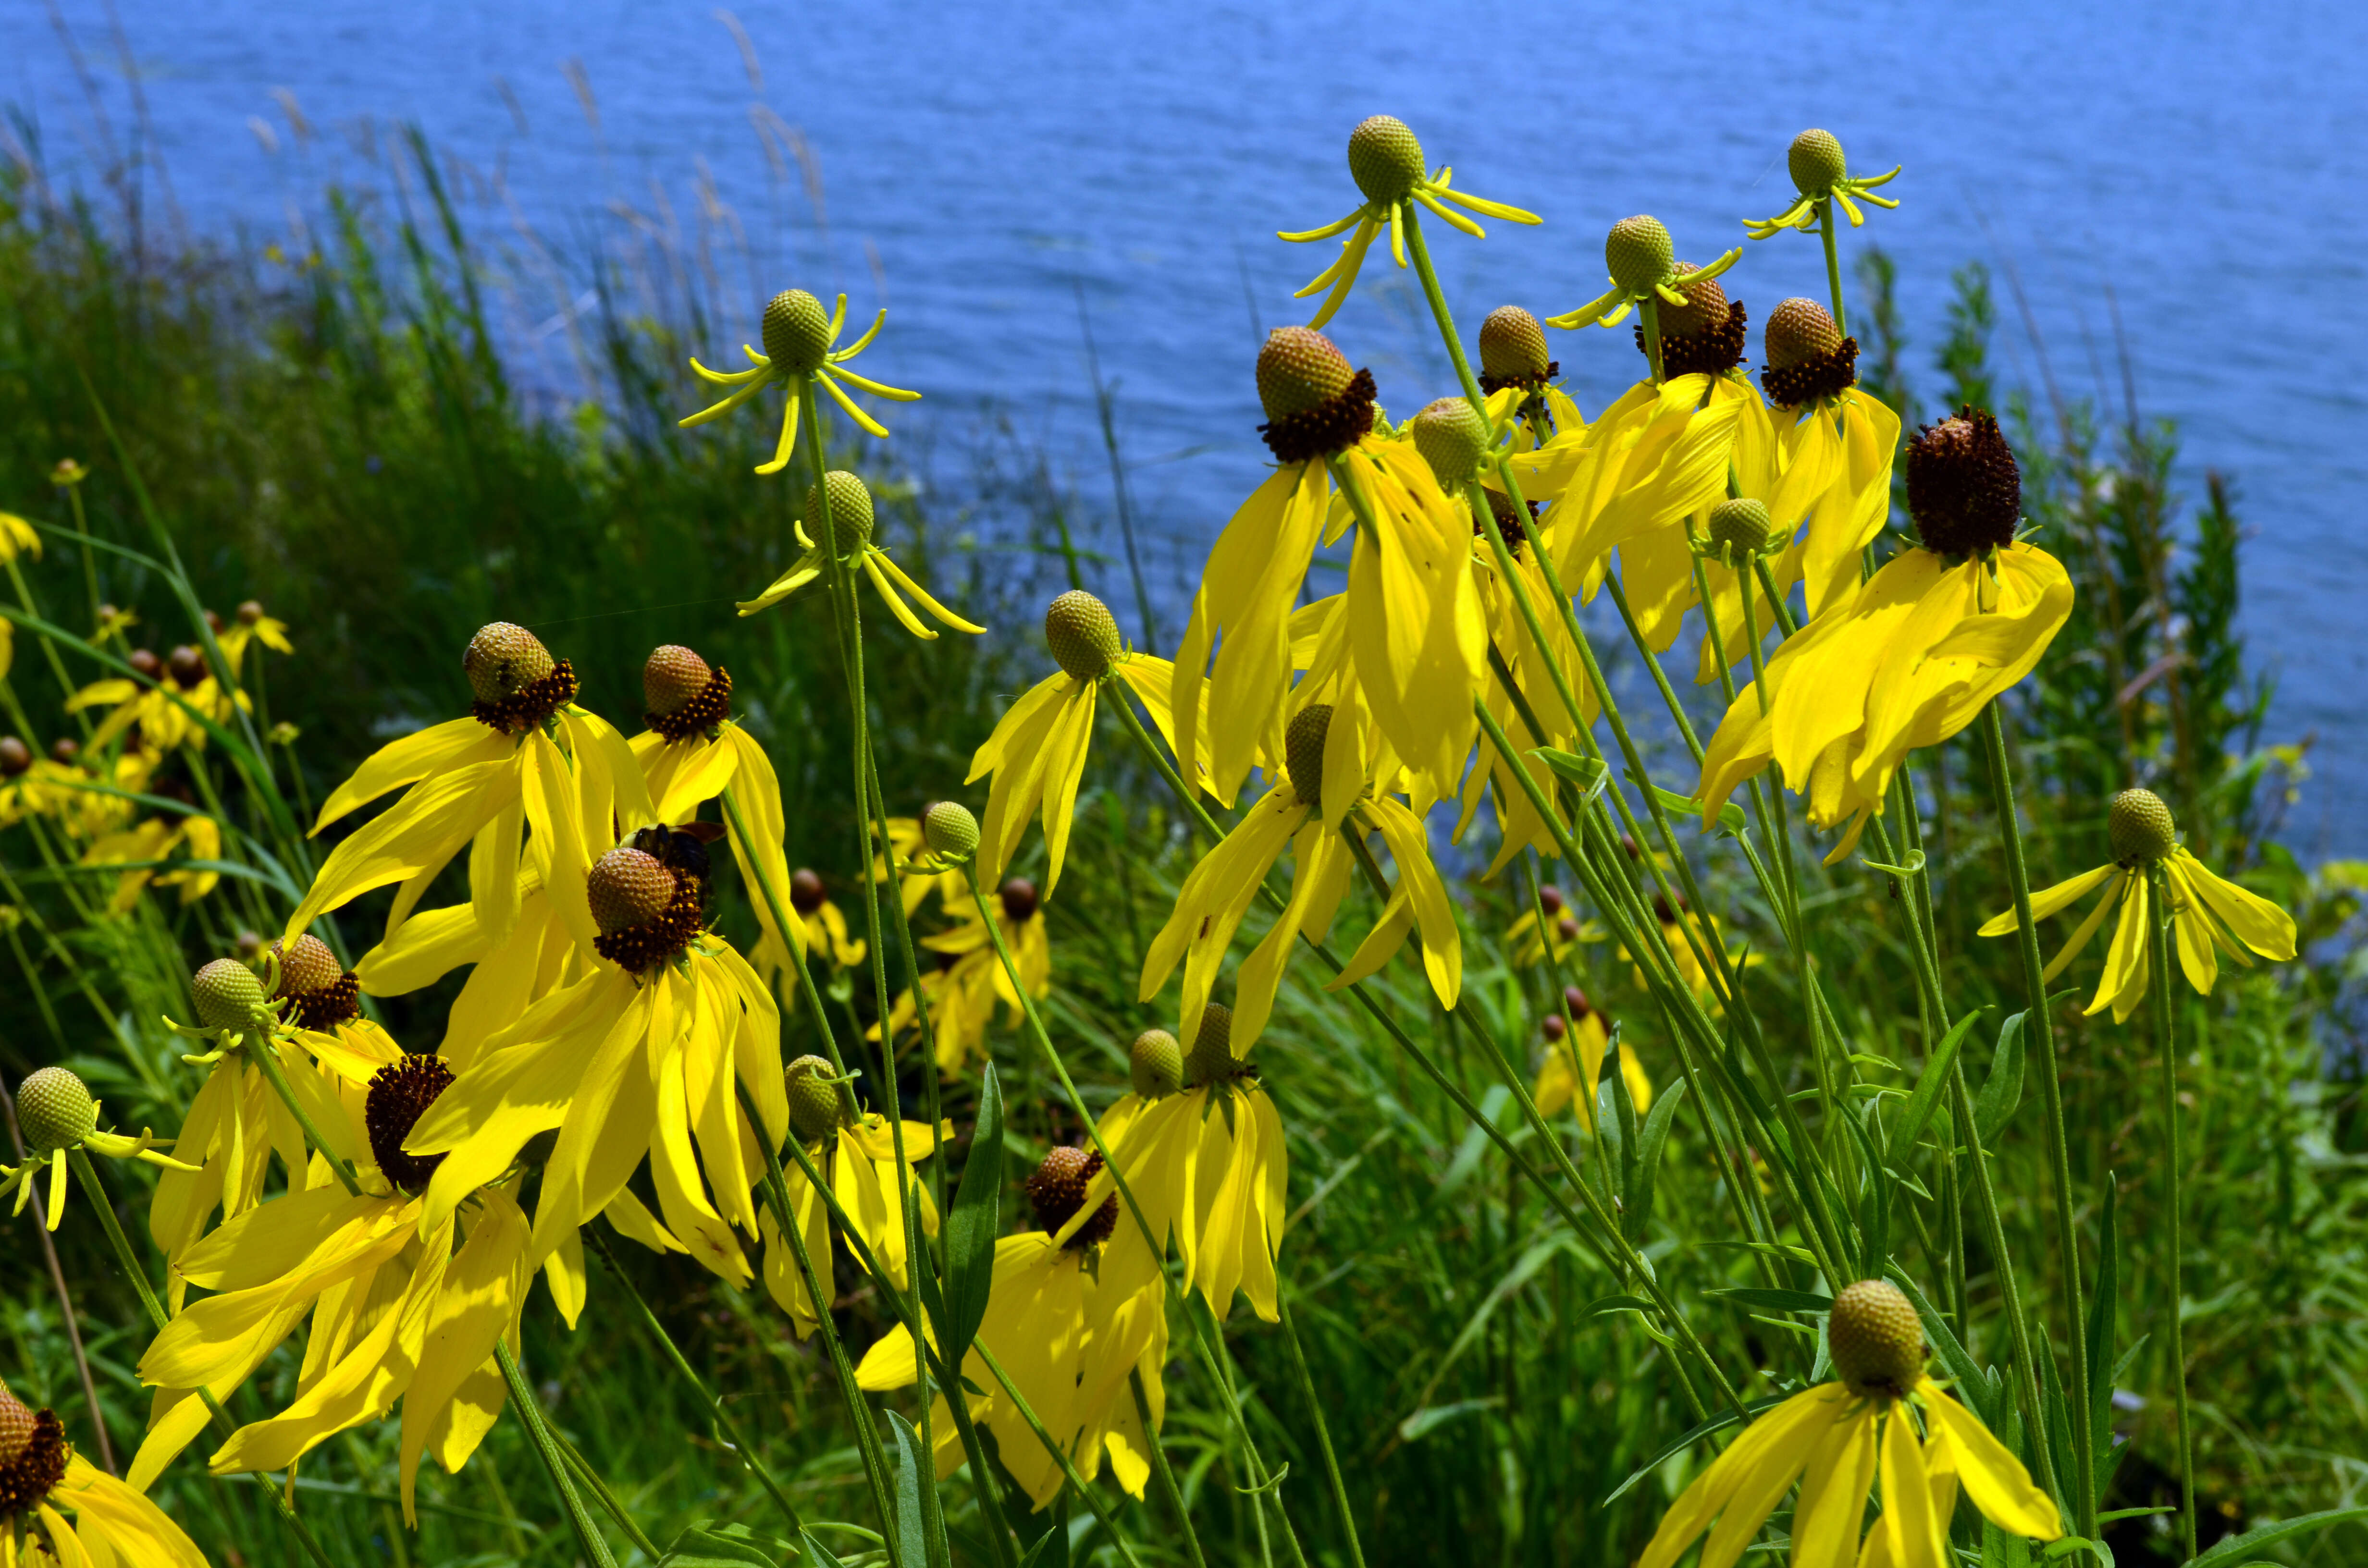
2208	913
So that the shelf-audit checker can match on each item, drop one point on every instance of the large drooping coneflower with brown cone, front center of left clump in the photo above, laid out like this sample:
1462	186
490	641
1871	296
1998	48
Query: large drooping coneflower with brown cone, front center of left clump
638	1058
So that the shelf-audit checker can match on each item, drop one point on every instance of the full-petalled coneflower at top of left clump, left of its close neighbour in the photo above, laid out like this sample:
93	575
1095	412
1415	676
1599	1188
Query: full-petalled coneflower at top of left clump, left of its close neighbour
527	757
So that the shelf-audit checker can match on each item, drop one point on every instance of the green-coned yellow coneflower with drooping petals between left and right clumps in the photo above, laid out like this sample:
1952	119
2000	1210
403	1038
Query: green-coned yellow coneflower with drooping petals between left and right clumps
1041	743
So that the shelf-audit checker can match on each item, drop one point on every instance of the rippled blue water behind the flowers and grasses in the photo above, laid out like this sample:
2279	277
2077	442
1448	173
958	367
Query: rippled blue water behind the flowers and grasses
979	165
